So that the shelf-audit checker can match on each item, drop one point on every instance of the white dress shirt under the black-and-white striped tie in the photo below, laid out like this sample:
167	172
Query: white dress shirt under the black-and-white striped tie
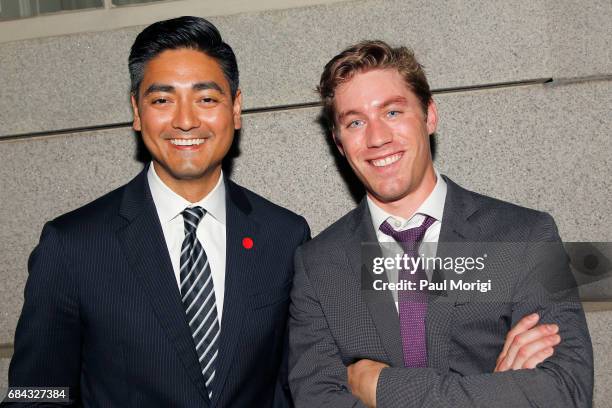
211	231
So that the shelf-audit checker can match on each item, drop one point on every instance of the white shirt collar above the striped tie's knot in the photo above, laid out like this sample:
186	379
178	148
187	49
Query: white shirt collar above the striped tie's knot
169	204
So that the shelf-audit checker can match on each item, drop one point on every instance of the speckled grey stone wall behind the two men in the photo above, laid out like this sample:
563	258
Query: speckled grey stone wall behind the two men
524	92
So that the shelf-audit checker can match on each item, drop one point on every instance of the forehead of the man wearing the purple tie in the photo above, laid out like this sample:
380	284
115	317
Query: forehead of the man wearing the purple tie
371	88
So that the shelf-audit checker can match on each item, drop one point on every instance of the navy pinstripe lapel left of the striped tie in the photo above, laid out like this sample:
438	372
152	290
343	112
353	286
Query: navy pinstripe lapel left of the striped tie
144	245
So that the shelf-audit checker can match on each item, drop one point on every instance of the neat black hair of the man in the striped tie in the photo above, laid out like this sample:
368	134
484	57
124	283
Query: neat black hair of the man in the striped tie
183	32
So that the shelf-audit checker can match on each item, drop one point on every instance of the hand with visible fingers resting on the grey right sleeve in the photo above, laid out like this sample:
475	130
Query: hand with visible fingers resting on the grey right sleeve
527	346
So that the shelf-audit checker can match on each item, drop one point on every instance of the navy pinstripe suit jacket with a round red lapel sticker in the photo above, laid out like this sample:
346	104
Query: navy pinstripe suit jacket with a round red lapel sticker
103	315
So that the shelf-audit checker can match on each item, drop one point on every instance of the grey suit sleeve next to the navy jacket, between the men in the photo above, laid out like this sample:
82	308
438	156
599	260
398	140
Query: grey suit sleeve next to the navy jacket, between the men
317	376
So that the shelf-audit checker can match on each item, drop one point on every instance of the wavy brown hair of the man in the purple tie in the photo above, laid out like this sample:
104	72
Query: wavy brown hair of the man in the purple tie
363	57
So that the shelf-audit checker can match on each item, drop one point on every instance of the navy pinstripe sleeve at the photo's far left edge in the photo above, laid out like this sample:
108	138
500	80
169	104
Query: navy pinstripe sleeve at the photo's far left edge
47	338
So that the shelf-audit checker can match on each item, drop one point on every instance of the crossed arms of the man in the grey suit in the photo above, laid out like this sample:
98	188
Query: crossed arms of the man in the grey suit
318	376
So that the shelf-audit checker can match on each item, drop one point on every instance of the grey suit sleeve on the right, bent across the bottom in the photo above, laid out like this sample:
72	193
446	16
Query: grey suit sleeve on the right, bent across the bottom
563	380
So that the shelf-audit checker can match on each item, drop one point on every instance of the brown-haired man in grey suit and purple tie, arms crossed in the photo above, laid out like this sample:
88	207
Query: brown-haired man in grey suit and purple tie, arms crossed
428	343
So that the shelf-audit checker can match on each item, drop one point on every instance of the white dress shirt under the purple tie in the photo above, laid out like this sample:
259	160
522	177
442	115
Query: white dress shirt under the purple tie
432	206
